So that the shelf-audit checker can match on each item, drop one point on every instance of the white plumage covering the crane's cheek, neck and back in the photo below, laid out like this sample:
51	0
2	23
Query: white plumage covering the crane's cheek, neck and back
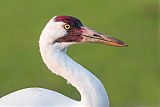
54	55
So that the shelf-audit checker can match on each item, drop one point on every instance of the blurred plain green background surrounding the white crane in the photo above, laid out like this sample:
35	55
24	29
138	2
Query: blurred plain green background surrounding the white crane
130	75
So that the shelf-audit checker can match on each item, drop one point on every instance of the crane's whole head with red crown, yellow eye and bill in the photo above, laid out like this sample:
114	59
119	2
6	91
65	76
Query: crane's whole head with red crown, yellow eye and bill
68	29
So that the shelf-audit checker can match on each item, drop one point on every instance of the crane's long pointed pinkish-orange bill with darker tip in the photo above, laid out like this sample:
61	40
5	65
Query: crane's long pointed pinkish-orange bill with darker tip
93	36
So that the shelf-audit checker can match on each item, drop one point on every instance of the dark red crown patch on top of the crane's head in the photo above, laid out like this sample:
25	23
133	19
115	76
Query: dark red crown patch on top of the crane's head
74	22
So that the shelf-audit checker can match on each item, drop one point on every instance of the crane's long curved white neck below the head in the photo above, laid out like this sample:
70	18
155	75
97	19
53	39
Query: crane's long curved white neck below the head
92	91
